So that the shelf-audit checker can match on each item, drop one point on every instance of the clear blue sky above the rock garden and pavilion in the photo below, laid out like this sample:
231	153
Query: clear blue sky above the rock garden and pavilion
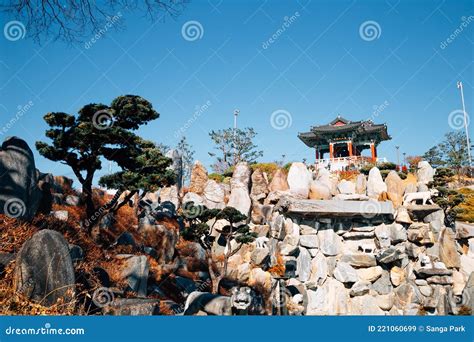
318	65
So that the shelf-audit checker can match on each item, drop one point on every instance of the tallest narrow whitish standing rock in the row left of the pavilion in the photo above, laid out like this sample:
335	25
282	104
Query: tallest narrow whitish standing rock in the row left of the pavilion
239	189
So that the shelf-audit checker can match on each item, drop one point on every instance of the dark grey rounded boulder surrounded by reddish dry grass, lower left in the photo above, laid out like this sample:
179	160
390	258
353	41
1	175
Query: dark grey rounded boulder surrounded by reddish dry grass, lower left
44	270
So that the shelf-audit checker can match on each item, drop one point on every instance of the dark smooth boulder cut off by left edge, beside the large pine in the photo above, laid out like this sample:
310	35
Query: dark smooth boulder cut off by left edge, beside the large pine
19	194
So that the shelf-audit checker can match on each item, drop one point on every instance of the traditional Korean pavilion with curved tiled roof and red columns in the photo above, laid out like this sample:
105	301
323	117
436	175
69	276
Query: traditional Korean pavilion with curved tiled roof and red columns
345	140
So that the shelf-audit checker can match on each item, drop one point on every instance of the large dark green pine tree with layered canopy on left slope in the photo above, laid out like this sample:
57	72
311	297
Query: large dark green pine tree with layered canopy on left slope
101	132
